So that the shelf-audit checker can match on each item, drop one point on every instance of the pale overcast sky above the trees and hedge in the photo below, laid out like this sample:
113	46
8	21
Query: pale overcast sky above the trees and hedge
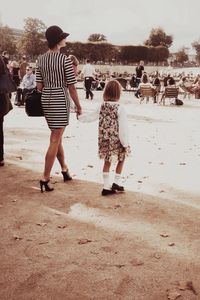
123	22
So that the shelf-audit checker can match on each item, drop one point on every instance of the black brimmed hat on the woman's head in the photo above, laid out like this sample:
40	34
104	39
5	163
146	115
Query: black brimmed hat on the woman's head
54	35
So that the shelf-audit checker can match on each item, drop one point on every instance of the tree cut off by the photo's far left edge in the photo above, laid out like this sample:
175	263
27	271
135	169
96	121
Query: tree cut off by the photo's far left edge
7	42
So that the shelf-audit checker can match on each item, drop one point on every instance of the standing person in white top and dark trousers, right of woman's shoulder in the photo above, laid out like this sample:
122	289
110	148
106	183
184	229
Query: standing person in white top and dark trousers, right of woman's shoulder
88	72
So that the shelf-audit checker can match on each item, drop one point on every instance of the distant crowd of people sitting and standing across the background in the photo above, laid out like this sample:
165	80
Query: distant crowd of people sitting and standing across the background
23	74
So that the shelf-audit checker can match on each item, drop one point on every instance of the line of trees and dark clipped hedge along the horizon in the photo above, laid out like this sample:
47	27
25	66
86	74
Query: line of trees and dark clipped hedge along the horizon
97	48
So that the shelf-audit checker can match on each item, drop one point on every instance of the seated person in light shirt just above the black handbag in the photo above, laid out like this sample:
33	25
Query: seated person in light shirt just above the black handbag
28	84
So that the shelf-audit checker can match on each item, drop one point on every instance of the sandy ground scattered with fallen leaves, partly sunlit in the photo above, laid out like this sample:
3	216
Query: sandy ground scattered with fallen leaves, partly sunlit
75	244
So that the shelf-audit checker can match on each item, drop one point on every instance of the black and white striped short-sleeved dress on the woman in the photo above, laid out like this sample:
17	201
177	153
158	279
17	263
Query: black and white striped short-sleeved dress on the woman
55	71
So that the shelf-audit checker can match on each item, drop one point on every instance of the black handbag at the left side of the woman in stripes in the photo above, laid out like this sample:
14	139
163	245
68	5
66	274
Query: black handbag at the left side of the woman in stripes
33	104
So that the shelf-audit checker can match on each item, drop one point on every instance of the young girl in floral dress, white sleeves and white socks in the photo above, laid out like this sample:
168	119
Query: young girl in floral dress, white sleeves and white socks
113	135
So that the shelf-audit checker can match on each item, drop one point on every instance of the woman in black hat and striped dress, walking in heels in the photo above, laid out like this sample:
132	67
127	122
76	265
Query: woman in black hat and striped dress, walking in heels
55	77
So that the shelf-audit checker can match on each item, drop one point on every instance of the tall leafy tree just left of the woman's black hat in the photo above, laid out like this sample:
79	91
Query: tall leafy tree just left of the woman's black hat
33	40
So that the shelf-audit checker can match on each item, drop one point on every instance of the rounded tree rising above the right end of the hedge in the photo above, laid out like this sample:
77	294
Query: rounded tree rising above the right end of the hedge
159	38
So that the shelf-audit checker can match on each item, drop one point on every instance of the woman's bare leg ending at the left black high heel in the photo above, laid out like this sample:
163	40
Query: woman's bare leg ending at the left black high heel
52	151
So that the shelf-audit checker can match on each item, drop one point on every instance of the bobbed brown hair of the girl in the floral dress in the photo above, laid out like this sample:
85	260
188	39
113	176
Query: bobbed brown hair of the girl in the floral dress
112	91
